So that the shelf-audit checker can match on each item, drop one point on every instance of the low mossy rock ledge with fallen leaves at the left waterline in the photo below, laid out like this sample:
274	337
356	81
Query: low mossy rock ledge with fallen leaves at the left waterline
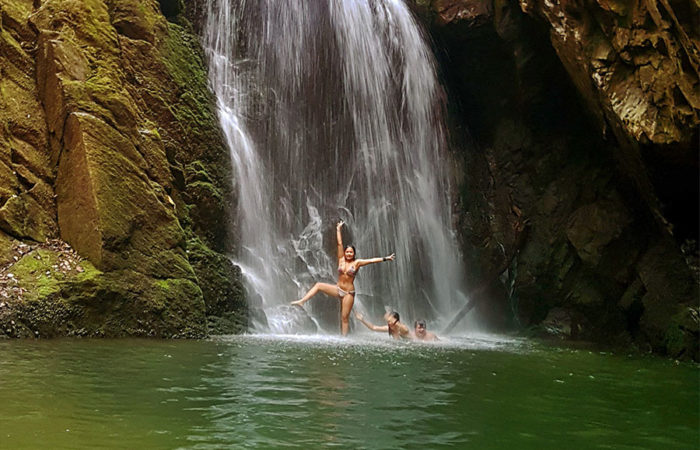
56	298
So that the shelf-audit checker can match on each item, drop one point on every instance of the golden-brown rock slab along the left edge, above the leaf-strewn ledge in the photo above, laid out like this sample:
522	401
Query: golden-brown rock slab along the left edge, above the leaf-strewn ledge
27	208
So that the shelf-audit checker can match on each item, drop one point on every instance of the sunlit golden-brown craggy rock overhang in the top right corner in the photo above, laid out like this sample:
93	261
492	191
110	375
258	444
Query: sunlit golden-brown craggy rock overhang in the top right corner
637	62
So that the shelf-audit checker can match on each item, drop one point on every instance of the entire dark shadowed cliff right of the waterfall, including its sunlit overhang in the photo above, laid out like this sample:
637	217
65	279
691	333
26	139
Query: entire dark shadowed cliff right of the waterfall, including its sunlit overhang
577	126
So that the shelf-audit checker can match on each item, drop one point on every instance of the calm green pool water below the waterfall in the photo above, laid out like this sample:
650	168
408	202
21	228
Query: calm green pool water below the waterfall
315	392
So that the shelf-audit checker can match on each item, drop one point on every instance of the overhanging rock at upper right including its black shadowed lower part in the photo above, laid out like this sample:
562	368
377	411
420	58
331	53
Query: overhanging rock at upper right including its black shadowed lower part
637	66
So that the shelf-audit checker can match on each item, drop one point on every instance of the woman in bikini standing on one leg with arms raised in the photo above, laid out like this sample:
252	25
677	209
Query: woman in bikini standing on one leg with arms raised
345	289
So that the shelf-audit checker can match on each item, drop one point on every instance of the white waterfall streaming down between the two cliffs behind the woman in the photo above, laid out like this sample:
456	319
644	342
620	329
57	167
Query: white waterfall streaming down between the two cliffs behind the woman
332	110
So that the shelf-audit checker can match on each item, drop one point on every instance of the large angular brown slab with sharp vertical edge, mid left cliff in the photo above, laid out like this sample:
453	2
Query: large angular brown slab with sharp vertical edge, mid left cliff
115	215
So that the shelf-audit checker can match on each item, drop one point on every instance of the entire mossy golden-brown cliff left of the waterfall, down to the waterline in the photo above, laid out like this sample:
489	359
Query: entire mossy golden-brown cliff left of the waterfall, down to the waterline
114	179
